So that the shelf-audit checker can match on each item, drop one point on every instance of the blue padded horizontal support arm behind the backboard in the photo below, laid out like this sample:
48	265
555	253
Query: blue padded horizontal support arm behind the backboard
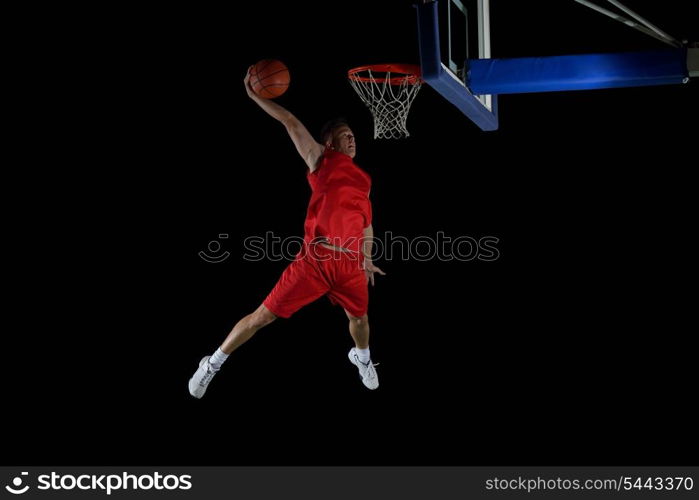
577	72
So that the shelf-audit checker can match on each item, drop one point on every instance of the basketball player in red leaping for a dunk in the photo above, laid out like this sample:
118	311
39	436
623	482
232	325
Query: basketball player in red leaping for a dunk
336	254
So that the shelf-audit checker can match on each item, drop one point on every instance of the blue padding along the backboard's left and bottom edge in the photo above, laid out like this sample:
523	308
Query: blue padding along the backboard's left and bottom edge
437	77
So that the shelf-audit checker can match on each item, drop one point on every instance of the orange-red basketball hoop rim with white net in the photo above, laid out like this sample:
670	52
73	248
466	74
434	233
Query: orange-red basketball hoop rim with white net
388	91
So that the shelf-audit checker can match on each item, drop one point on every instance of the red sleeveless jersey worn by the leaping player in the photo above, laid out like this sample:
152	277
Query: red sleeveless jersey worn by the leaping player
339	209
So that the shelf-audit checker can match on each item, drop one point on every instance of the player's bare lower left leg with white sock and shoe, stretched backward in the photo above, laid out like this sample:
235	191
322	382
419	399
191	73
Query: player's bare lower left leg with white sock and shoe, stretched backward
241	333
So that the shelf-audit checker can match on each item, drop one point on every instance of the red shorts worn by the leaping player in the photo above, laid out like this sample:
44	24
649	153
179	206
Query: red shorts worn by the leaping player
318	271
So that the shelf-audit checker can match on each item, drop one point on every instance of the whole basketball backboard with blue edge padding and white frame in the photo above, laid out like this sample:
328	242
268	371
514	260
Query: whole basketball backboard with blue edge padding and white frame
450	32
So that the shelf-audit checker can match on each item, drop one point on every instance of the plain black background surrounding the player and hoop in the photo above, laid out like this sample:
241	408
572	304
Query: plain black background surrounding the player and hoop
572	348
